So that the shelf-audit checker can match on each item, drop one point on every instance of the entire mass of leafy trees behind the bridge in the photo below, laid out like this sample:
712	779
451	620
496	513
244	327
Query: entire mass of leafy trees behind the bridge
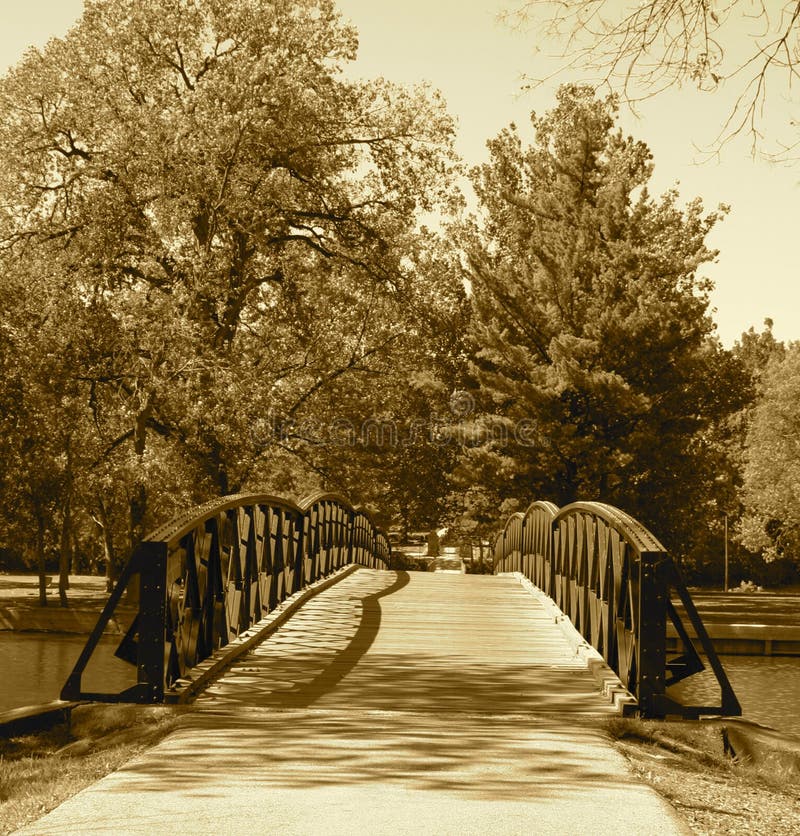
216	278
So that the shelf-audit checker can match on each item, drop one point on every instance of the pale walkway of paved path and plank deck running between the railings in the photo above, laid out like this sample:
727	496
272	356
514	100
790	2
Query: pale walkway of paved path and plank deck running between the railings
391	703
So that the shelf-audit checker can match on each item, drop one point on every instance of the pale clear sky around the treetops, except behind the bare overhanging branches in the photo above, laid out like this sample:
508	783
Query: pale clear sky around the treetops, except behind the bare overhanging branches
479	64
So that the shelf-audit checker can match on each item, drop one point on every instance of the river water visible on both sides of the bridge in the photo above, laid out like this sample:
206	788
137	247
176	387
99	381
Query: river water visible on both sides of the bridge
34	667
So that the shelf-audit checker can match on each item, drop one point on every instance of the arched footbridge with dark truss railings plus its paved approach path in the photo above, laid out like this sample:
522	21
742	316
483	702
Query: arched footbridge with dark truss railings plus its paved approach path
334	694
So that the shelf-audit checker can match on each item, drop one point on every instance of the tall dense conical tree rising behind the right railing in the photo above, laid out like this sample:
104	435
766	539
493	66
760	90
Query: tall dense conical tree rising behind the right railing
598	373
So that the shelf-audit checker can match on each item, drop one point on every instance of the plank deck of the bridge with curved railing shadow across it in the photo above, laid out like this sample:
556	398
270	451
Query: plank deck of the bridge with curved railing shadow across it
415	642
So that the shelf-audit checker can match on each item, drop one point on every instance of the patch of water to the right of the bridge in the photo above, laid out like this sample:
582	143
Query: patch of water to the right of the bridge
767	687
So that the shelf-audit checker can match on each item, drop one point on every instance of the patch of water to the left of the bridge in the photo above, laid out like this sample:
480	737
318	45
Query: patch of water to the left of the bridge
35	667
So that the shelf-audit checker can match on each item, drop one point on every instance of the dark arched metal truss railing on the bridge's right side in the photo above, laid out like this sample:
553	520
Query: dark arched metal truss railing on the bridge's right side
615	582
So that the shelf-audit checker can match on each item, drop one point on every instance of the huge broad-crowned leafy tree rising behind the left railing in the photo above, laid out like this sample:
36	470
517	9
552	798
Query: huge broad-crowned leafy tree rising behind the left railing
230	220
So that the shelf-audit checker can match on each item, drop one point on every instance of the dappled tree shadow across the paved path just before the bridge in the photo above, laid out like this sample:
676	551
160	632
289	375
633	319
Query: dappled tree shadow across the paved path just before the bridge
481	757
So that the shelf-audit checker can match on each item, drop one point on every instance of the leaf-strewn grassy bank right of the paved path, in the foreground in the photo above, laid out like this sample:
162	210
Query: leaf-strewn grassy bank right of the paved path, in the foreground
685	762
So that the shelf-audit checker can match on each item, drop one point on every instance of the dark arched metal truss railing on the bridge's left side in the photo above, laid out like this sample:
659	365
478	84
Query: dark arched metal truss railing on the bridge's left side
199	581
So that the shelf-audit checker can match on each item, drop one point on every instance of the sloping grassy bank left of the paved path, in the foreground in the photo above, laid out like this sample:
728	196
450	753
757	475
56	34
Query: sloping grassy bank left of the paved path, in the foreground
39	771
